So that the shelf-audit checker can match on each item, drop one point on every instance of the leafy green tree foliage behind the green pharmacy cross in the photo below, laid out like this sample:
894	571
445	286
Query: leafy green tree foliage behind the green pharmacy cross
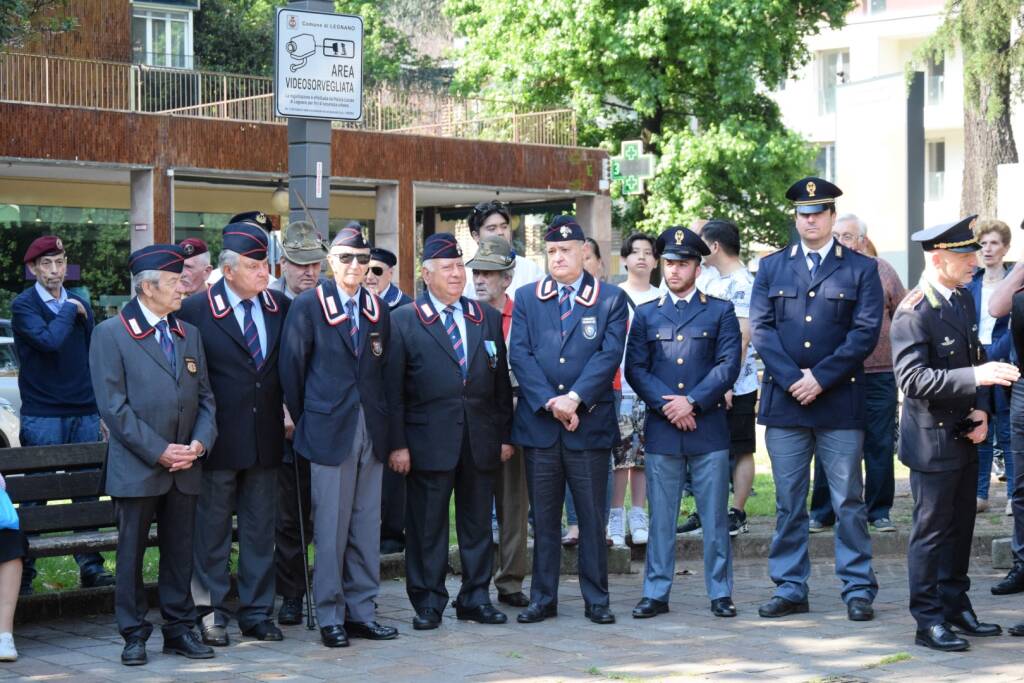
671	72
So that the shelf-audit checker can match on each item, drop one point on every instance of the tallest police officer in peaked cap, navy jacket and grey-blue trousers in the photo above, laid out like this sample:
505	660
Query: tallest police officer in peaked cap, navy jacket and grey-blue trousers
816	316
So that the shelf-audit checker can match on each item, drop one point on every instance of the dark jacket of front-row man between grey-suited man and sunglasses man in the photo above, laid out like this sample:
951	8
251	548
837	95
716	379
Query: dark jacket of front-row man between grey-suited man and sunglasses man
251	419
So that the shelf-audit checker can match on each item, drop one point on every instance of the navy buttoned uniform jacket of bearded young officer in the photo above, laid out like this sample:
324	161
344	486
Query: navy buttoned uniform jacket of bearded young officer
694	353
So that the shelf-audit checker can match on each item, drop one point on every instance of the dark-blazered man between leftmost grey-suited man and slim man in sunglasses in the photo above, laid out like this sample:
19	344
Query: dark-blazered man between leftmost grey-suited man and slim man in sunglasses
241	323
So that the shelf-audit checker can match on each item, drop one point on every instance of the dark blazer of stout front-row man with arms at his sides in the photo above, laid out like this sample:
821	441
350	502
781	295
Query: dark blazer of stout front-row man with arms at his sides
434	404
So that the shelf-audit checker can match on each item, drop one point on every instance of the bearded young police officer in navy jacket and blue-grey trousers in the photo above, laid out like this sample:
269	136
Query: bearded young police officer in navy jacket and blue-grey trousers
682	357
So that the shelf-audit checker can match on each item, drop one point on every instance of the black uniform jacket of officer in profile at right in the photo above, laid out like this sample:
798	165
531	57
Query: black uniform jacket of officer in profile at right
934	352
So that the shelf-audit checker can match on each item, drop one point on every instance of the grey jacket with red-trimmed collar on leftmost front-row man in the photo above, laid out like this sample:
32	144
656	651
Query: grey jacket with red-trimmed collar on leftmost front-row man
147	406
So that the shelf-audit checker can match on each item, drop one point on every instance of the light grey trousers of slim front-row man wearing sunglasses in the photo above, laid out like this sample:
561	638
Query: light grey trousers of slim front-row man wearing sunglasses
347	504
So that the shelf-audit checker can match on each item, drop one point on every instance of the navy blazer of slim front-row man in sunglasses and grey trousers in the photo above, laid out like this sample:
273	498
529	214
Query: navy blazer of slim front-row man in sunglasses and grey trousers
326	381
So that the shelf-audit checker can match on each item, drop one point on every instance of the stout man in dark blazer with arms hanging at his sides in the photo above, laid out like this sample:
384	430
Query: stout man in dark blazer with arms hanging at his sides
451	430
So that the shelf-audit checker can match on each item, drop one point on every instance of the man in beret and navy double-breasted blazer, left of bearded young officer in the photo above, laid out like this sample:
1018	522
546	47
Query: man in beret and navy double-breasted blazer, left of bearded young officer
569	333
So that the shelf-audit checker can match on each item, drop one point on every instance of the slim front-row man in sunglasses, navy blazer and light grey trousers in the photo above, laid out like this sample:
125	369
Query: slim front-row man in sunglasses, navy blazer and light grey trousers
333	359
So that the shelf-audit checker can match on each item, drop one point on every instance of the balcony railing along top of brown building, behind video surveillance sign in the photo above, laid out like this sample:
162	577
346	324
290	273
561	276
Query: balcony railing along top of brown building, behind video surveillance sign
129	88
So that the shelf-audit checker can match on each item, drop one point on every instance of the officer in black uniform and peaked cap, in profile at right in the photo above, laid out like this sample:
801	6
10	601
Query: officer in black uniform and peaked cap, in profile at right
941	367
